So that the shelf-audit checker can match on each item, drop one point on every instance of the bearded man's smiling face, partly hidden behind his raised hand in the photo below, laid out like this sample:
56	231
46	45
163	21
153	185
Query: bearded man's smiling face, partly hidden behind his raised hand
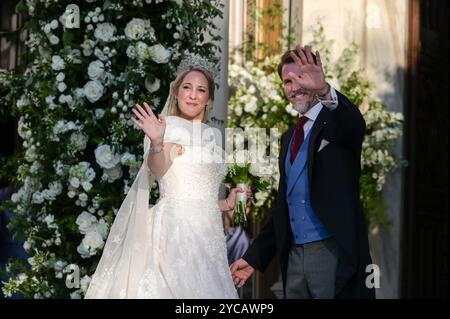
301	99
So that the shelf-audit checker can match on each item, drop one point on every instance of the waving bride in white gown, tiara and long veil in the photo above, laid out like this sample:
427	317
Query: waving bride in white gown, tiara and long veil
177	248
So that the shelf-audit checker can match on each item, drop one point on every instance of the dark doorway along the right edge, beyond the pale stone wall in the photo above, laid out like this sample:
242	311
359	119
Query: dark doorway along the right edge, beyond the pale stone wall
425	239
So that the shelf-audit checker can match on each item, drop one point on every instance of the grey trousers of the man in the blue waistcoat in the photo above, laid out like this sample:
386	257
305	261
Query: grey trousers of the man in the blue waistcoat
311	271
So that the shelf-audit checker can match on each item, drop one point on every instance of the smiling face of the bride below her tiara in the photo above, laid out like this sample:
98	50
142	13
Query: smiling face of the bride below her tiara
193	96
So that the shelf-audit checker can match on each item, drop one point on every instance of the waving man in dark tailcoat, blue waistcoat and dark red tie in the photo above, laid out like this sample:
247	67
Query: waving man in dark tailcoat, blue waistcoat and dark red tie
317	224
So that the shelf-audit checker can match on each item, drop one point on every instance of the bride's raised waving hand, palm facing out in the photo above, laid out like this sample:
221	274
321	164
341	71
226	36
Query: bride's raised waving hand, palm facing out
147	121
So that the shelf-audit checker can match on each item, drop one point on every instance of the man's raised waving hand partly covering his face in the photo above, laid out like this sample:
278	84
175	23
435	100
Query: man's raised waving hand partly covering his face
311	77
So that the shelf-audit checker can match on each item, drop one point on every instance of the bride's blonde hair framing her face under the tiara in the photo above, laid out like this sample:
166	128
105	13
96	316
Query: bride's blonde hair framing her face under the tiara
172	108
